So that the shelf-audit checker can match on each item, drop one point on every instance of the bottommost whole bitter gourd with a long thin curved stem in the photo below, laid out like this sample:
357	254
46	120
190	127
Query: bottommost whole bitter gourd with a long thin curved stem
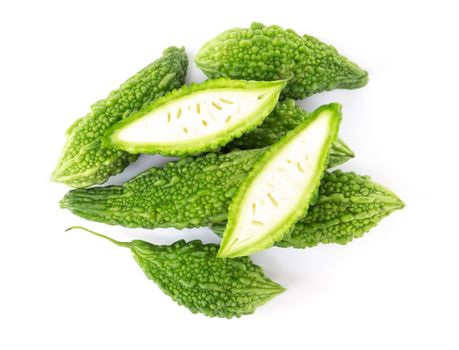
192	275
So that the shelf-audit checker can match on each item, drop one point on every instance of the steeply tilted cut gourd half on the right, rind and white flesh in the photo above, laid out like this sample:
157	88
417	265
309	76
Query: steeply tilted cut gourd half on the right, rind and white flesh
278	190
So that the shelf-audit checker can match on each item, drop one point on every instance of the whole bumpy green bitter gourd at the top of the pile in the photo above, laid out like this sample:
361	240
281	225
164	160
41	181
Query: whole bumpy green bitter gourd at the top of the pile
272	53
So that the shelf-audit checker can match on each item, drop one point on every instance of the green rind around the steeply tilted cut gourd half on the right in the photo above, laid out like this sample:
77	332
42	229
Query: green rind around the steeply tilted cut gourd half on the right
268	237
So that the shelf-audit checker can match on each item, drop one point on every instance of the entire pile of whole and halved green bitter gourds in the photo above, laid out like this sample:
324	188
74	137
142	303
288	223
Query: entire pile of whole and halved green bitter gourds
253	165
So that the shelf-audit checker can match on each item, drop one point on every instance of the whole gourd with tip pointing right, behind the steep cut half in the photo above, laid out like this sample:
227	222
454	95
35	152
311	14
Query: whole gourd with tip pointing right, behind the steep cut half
348	206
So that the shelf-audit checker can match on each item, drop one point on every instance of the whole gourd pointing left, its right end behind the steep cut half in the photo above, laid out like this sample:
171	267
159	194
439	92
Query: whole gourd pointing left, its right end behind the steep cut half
191	192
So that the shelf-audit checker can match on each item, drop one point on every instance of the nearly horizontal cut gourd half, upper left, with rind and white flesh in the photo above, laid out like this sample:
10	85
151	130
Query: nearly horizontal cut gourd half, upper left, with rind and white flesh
196	118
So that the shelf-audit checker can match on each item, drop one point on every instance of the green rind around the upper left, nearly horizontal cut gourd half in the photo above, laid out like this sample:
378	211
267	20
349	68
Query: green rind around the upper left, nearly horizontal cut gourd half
207	144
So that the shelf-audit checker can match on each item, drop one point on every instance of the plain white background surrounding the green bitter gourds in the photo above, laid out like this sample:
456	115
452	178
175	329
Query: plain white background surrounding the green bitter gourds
396	288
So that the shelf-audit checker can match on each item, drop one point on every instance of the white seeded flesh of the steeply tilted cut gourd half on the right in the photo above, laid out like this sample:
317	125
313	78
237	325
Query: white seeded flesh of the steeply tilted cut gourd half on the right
280	186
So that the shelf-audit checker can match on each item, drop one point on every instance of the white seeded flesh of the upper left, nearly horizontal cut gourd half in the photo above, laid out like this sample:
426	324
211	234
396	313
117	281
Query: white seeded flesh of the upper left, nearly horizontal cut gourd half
195	116
